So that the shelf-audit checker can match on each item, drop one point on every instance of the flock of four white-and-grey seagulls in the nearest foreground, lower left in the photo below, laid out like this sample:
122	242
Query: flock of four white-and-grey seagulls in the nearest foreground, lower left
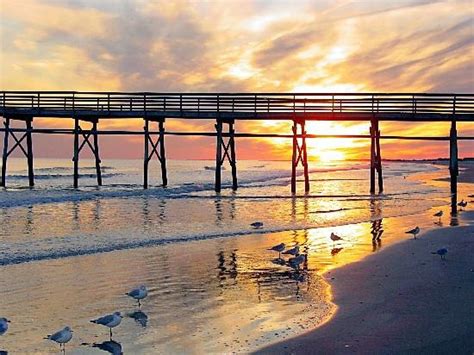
110	321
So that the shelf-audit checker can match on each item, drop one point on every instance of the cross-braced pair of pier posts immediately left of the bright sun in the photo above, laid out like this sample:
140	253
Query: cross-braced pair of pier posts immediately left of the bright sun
300	154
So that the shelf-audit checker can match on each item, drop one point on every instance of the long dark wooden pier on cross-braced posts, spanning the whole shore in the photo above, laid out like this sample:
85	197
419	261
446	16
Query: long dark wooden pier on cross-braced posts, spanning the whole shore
225	109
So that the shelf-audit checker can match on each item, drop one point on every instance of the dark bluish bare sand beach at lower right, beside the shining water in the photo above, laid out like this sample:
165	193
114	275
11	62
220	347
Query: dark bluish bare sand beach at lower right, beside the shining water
429	312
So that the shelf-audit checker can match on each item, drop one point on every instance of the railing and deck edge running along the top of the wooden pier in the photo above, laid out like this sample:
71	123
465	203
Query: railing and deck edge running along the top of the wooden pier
241	105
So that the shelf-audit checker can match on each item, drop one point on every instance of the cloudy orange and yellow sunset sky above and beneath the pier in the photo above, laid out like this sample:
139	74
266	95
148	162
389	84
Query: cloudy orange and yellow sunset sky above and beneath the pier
242	46
